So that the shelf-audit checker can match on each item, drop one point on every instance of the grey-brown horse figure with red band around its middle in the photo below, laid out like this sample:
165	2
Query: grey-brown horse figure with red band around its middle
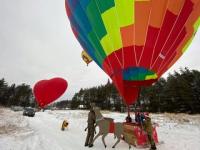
107	125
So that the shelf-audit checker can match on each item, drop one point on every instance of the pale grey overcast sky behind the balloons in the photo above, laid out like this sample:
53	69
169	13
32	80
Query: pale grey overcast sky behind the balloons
36	42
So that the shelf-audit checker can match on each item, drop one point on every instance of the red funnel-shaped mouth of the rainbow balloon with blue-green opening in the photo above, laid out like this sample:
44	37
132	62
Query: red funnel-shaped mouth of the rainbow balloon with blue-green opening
130	80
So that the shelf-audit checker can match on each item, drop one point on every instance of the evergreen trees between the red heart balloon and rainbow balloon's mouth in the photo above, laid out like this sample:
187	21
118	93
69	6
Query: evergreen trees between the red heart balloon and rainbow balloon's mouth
105	96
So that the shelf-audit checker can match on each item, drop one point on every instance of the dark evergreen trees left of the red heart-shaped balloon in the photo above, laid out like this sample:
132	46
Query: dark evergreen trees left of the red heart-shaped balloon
16	95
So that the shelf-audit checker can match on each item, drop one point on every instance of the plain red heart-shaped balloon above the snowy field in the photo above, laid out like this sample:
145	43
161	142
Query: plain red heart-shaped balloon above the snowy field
47	91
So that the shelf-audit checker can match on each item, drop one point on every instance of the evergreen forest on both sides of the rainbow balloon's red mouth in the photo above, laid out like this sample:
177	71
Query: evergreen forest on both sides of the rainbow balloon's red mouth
179	92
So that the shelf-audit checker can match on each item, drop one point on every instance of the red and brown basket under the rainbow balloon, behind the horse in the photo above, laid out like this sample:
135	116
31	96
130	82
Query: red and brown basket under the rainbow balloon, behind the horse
136	136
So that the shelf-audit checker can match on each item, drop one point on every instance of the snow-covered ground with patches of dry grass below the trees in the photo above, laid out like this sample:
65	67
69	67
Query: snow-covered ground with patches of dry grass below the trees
42	132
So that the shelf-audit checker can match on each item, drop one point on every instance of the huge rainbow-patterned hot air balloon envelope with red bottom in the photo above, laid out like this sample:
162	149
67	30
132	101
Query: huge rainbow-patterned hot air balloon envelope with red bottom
134	41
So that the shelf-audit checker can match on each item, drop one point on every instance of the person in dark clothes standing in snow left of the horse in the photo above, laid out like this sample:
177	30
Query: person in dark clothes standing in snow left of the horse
91	127
